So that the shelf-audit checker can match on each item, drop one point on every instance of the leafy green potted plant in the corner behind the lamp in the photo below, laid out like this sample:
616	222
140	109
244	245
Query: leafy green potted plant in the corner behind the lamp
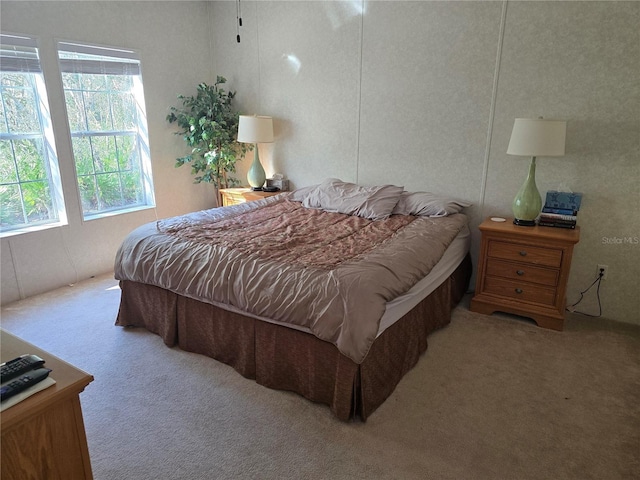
209	126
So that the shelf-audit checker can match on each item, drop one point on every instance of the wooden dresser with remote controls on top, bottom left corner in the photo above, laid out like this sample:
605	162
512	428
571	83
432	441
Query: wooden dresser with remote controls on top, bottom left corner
43	436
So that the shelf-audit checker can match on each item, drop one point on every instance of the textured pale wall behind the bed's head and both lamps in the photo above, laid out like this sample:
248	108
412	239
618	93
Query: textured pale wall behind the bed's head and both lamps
424	94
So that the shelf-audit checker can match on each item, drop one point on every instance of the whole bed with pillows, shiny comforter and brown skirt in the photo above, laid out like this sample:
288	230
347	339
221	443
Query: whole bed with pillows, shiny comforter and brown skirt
329	291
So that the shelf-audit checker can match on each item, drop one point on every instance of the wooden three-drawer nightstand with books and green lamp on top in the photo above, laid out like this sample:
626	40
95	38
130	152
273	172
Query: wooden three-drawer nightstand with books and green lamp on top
524	271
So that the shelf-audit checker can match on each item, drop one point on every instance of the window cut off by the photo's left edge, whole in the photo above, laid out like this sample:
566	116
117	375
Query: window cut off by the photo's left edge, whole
30	189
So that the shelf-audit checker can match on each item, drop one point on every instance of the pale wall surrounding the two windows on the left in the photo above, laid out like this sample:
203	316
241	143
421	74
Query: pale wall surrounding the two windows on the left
173	42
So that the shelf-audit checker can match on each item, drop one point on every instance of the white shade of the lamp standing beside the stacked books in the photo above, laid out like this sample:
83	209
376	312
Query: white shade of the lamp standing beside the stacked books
537	137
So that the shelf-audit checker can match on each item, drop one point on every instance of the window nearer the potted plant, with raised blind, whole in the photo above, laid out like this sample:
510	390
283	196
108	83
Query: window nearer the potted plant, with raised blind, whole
107	119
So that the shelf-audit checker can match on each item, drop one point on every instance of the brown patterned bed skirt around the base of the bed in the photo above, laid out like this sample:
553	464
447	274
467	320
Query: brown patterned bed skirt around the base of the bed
286	359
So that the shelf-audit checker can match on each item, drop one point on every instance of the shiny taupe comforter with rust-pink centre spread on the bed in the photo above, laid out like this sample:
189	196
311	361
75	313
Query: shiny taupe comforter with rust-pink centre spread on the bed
328	272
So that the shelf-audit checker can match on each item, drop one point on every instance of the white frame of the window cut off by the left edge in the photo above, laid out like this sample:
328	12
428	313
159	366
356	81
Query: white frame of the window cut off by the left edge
19	54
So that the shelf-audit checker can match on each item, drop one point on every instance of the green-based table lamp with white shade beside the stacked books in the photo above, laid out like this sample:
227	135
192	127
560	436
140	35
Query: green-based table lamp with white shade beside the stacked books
534	137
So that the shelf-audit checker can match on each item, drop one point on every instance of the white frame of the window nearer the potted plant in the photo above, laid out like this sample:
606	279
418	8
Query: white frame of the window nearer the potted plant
101	60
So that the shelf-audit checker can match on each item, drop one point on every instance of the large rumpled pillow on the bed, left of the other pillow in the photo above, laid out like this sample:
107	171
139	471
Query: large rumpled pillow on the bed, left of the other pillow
374	203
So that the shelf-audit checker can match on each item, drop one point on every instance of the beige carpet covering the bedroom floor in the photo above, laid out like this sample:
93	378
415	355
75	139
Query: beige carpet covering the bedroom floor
494	397
